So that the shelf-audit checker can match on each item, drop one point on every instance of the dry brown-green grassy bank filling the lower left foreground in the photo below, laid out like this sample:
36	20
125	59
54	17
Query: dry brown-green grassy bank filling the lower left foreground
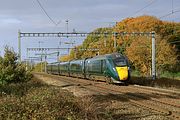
35	100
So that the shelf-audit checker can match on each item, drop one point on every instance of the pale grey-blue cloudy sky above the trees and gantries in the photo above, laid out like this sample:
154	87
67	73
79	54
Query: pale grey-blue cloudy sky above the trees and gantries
82	15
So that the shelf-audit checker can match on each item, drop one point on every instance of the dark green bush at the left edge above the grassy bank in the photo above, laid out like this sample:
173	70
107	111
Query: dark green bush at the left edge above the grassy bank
10	70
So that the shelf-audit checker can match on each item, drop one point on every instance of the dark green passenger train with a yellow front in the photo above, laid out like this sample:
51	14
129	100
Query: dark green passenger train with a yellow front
112	68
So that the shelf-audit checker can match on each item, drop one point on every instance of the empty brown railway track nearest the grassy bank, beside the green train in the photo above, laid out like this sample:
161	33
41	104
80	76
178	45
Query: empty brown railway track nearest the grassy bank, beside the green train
152	104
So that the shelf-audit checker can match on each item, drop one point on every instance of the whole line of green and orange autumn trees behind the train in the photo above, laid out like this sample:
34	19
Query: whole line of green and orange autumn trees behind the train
137	48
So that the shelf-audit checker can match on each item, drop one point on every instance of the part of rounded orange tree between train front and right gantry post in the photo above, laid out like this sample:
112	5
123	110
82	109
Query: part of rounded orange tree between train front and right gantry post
139	53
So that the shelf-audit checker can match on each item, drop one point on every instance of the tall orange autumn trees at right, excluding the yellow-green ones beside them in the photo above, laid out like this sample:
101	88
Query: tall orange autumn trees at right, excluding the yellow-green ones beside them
138	49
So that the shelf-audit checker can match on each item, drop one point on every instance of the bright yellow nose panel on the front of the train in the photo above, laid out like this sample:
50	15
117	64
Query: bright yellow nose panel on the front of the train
122	73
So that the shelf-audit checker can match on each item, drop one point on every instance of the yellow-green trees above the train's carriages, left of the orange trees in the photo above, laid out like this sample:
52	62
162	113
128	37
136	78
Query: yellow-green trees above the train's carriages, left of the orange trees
92	41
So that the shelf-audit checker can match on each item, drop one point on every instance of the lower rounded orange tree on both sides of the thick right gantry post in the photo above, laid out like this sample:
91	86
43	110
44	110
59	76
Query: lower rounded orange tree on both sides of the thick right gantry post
139	53
